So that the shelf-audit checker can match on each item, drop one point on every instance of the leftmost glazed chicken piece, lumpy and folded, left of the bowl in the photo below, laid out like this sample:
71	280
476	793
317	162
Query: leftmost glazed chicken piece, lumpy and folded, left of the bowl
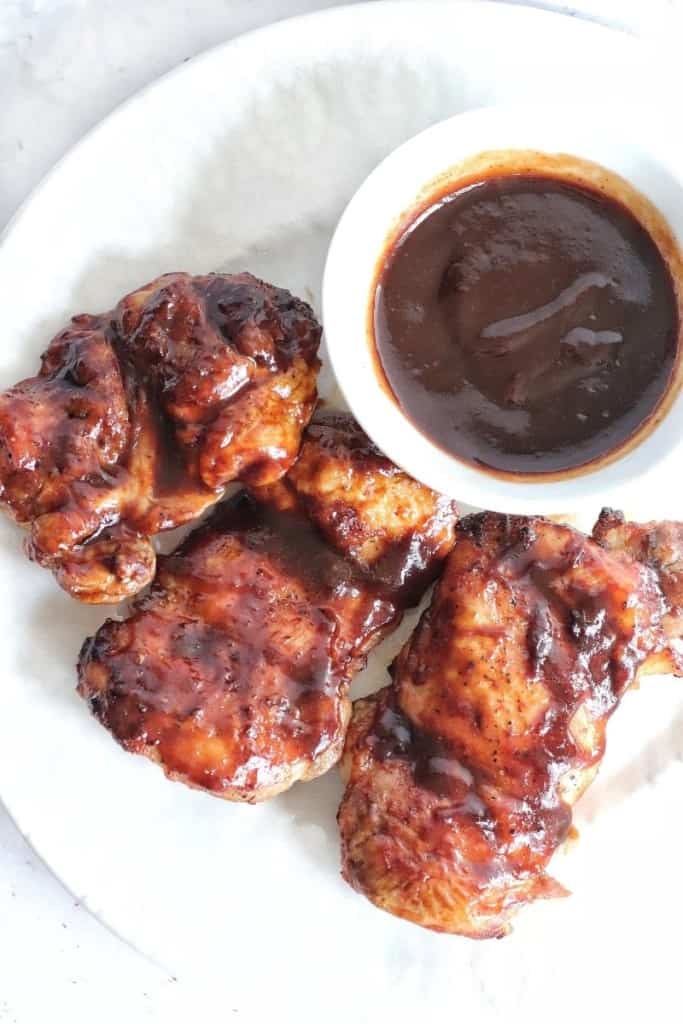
139	419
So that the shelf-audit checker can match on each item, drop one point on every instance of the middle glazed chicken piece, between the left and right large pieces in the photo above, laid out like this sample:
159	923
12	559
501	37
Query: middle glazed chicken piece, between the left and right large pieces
234	672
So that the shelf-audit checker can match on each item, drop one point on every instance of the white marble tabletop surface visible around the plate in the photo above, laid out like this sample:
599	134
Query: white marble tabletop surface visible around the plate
64	65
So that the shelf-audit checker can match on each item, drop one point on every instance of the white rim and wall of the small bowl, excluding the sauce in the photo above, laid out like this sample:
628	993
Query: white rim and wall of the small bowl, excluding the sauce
644	480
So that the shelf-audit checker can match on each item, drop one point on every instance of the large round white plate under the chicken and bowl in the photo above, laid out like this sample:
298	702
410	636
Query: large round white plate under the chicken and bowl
244	158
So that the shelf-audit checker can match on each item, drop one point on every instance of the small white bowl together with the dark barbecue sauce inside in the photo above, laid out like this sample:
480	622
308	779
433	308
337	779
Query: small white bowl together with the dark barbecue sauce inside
503	304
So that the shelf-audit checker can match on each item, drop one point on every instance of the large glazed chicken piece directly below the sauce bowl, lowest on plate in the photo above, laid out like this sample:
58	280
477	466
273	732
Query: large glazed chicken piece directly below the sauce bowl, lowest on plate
462	775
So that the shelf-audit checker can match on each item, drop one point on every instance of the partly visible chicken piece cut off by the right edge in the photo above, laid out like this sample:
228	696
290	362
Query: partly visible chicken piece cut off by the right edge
659	545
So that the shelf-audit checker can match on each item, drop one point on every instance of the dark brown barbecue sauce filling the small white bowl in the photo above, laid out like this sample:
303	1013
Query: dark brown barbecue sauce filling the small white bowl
527	324
